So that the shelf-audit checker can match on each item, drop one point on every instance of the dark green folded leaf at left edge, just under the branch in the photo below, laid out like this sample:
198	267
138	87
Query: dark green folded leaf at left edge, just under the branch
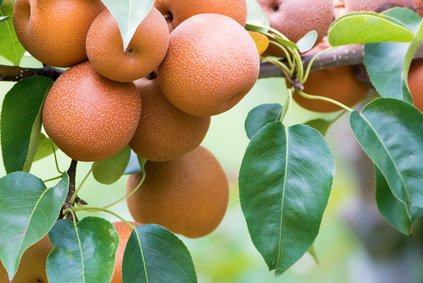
21	122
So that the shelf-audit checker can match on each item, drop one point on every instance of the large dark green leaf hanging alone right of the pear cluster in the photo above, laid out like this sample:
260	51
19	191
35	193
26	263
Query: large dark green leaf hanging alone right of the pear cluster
285	181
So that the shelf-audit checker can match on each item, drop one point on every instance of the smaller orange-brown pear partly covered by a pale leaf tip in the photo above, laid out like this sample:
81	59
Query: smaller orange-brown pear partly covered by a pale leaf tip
144	54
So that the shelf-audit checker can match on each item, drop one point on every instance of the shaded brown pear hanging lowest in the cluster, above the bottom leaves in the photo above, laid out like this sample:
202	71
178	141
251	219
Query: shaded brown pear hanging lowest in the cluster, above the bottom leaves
188	195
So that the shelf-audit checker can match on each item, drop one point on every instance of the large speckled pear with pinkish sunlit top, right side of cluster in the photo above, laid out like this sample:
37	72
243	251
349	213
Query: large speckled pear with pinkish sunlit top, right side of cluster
211	64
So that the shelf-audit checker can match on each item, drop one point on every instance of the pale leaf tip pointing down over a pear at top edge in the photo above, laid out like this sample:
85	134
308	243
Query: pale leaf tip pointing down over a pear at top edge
129	14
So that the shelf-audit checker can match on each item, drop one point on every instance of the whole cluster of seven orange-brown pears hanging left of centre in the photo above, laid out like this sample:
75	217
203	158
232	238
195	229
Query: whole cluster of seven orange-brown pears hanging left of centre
185	63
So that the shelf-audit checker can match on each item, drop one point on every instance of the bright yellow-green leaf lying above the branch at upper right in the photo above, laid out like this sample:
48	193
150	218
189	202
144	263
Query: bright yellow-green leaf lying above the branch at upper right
364	28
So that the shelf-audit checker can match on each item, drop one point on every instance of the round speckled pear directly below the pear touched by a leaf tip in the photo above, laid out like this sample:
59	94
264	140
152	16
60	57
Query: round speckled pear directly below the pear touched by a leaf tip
90	117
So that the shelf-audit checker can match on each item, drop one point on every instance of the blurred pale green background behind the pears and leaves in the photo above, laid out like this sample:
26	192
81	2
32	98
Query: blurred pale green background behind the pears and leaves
354	245
